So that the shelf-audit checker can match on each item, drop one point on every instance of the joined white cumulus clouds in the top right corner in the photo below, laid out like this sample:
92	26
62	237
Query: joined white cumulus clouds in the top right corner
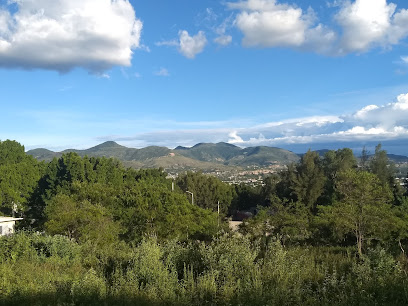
364	24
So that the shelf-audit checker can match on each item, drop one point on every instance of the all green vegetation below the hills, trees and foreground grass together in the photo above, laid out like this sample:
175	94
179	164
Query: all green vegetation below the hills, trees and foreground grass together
329	230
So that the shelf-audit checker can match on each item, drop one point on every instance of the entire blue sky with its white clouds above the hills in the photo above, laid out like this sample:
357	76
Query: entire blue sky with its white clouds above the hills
292	74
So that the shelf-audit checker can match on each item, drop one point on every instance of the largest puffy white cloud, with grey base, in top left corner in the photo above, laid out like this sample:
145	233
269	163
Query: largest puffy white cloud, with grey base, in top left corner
61	35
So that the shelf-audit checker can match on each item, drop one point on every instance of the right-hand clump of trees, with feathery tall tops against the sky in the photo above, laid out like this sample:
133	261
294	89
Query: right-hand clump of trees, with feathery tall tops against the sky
335	200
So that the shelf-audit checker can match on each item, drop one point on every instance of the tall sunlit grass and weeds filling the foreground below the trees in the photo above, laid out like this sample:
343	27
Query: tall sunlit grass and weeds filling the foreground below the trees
44	270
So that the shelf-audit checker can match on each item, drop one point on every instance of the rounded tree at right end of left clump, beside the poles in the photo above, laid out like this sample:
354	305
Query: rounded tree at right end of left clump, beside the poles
150	207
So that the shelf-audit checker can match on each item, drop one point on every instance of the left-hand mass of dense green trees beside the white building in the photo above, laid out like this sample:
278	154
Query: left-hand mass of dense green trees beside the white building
96	199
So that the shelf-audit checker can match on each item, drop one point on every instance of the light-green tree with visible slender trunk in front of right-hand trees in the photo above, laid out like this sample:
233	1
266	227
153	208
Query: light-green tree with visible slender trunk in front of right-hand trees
363	210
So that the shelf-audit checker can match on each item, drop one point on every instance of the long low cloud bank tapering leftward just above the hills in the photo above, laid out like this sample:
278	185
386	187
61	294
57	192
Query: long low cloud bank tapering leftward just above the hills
371	124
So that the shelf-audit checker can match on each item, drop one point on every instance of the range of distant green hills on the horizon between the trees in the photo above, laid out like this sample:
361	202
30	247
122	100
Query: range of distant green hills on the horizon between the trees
202	156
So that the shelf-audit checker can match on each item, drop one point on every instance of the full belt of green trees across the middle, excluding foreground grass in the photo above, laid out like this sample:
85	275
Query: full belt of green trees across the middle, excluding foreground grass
329	200
